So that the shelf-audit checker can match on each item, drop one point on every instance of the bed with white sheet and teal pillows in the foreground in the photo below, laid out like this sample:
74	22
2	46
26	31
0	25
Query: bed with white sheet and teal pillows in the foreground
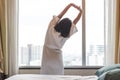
110	72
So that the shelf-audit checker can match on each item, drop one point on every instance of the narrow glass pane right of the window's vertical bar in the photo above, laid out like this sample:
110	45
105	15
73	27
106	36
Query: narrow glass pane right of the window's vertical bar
94	32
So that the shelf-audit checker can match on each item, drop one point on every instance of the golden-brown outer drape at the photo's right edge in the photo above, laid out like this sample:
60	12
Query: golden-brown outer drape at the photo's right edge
117	35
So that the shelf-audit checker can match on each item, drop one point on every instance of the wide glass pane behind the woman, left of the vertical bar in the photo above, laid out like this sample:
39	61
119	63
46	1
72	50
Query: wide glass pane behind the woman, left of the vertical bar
34	17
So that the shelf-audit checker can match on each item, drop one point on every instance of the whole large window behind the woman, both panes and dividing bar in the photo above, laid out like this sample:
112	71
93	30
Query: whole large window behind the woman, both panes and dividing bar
85	48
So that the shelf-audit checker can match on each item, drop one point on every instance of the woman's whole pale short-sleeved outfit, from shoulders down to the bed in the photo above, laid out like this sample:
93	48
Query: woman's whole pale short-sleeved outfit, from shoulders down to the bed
52	62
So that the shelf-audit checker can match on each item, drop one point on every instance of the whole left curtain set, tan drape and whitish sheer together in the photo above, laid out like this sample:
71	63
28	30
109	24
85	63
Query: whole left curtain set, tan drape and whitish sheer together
8	36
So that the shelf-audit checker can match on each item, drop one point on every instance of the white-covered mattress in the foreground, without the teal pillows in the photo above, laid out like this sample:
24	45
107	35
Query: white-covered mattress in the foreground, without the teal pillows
50	77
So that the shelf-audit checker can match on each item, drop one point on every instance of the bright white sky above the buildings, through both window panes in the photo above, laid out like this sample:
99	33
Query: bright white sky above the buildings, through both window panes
34	17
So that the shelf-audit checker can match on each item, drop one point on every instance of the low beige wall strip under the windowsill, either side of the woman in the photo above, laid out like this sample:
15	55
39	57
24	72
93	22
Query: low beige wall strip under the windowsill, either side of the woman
83	72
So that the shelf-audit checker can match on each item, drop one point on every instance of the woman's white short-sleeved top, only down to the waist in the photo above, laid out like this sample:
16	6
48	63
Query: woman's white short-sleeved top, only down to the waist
53	39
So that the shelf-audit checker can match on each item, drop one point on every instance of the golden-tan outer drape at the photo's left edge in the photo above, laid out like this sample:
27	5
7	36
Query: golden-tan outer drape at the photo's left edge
3	39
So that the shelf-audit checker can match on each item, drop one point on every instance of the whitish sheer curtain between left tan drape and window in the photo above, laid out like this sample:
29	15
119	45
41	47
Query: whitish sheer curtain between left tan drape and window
12	24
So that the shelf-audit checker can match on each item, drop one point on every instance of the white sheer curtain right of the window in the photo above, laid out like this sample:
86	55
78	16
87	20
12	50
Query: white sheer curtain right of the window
110	15
